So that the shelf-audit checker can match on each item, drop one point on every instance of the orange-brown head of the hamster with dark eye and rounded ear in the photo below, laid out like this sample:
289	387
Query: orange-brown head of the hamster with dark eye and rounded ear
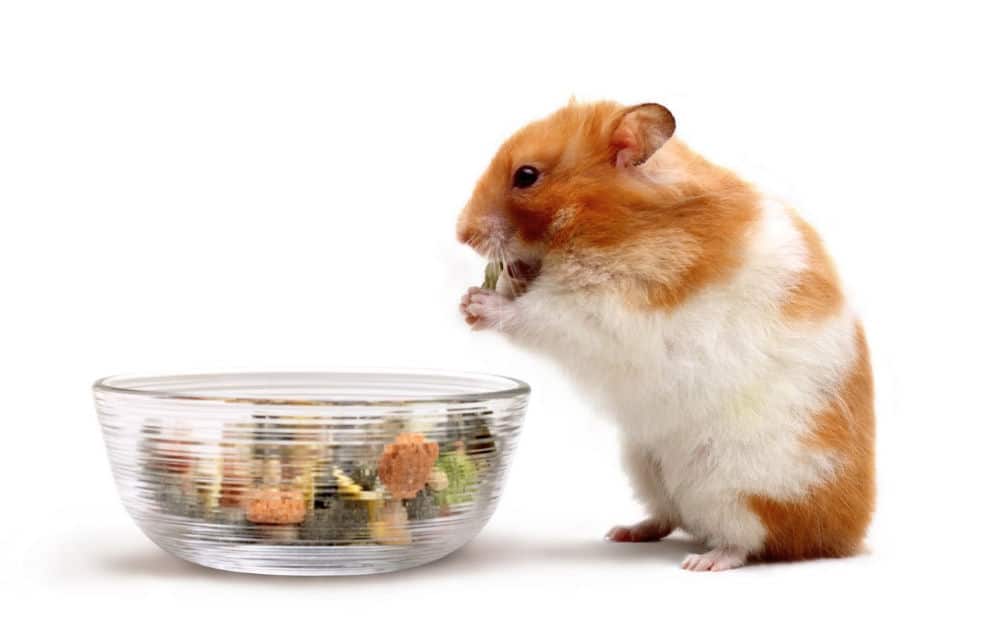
548	177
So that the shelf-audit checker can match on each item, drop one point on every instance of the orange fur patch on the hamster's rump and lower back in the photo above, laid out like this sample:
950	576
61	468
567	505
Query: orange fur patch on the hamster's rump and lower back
832	520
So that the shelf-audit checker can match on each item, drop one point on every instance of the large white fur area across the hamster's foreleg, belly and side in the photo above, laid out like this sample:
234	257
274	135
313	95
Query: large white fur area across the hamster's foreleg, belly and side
714	396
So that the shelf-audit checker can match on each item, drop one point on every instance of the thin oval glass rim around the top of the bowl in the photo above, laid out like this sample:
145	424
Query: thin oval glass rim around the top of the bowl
518	388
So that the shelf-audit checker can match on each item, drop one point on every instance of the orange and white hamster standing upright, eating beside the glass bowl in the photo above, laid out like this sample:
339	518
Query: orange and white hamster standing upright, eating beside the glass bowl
703	315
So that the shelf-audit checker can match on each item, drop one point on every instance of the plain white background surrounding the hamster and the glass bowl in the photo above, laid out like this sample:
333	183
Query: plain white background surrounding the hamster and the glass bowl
208	185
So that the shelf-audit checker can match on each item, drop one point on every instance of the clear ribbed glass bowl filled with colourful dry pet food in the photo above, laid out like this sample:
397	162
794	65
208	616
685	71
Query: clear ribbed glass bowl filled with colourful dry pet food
338	473
